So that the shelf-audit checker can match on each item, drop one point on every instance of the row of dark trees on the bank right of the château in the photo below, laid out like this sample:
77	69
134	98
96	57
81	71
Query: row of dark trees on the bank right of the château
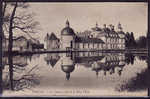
131	42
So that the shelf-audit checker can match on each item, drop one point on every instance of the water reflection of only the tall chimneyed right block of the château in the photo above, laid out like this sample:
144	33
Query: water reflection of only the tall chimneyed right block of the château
109	63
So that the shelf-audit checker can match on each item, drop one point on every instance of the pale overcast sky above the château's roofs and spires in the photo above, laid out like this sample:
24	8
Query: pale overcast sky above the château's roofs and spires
83	16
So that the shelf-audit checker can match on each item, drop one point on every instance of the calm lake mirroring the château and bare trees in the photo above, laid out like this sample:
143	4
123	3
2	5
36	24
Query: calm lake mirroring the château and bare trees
77	74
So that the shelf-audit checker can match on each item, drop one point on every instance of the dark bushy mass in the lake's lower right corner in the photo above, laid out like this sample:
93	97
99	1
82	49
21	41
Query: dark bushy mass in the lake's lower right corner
140	82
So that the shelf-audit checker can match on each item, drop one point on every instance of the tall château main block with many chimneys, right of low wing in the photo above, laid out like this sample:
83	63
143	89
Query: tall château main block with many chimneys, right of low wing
113	39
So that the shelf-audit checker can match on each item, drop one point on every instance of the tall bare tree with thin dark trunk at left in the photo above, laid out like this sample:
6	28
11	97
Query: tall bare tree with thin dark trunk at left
17	21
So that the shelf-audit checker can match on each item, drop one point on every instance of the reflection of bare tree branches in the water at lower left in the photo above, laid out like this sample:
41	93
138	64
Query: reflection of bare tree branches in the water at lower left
26	79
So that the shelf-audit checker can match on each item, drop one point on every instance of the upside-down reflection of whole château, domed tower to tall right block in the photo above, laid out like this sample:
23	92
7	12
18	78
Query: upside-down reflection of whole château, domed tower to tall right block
97	62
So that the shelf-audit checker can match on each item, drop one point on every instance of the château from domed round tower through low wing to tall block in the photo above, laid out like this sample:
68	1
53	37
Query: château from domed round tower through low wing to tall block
99	38
